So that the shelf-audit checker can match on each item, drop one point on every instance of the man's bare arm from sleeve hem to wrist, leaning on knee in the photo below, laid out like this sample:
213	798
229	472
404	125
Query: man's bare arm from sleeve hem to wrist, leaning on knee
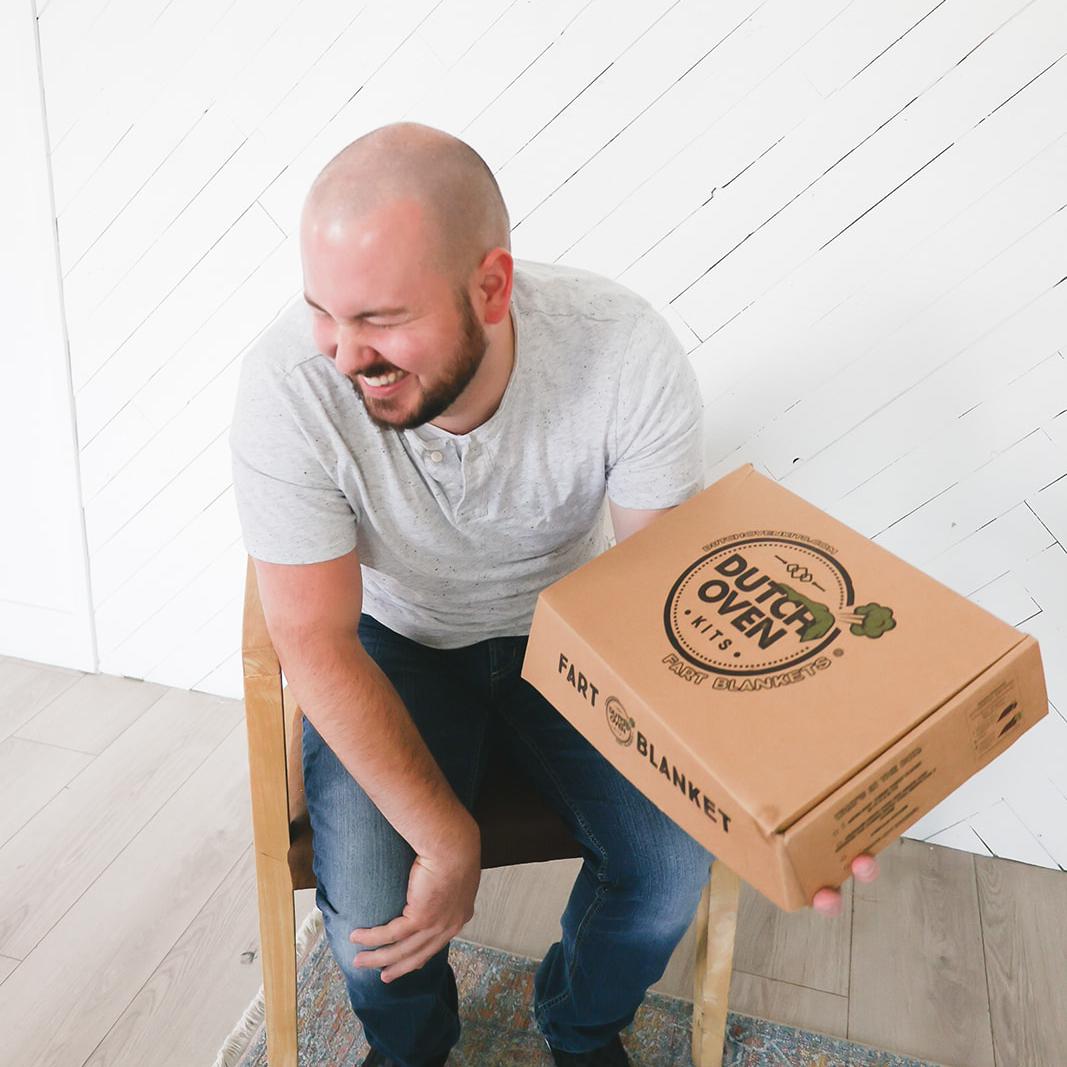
313	616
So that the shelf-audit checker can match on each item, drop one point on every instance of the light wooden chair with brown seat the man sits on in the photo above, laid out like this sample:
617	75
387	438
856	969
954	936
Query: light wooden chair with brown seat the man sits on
517	827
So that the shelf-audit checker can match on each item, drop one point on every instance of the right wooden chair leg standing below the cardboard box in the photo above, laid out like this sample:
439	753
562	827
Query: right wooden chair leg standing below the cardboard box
716	926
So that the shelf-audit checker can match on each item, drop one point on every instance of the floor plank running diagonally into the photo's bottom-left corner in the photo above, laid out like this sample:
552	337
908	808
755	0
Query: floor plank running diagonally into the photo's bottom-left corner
69	993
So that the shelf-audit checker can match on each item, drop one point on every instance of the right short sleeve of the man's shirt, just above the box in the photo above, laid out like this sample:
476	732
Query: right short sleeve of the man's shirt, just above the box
658	457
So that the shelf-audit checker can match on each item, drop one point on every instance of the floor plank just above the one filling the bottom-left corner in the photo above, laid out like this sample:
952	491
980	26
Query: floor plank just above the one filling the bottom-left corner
50	864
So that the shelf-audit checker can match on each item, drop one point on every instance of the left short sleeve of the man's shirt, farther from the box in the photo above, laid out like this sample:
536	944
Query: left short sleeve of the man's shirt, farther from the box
291	511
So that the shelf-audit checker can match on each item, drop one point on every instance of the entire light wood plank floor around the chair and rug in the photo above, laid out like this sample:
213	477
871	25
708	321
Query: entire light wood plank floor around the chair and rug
129	931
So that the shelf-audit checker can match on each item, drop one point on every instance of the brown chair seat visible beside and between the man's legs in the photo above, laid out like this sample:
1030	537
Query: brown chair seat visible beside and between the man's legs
517	825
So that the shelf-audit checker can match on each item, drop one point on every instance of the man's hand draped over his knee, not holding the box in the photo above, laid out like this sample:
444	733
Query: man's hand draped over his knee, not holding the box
441	893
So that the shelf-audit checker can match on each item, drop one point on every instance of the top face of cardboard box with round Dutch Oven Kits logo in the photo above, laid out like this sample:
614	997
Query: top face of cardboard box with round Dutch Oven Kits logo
783	648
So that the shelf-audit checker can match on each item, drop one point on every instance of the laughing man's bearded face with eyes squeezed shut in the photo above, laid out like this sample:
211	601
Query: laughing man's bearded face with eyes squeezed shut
421	326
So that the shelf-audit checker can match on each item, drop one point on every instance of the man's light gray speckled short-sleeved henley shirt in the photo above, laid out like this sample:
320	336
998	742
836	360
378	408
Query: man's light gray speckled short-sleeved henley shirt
458	534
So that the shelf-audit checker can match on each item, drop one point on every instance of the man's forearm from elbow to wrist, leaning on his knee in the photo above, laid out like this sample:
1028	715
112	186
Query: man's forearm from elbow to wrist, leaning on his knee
360	715
